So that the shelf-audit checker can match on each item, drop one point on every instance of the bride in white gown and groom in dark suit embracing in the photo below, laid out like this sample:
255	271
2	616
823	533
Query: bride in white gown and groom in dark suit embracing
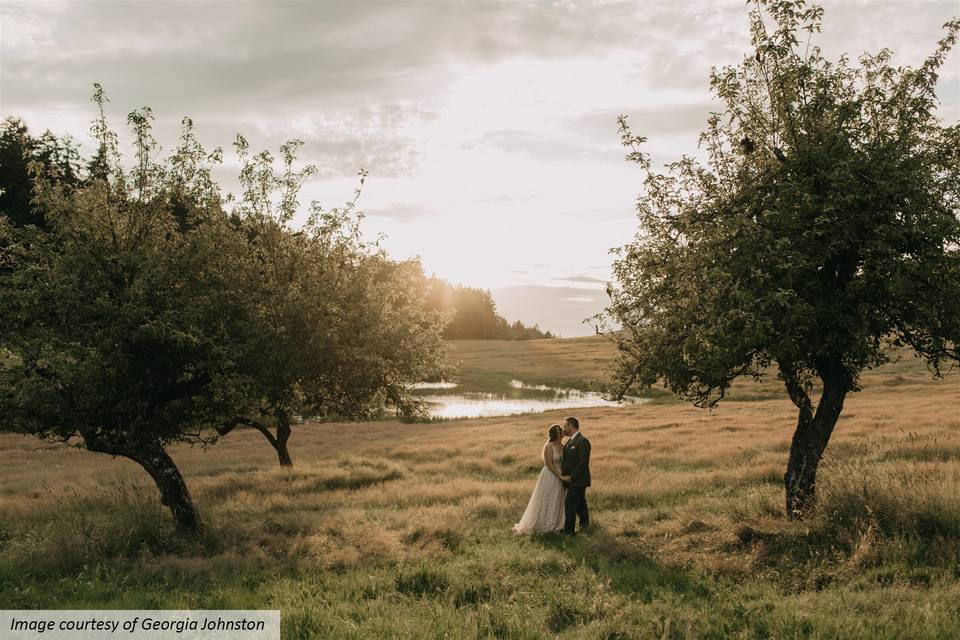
560	496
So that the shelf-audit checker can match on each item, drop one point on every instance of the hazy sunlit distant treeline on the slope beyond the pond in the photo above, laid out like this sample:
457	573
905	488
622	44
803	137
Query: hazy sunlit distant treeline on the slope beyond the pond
474	315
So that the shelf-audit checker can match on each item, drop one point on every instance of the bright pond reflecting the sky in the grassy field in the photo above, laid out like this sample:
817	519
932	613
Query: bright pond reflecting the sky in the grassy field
447	400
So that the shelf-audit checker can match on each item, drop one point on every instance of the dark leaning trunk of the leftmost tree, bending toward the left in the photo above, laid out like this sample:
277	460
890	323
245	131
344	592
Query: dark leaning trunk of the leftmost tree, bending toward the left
161	467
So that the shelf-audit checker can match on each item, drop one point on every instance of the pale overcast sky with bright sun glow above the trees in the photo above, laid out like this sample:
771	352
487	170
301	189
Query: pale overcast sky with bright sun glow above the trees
489	129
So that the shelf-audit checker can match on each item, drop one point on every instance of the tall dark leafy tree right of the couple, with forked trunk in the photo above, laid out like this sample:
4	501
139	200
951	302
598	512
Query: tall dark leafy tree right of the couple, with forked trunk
821	232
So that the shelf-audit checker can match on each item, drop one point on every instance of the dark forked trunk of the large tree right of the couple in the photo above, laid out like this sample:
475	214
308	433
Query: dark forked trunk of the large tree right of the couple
810	439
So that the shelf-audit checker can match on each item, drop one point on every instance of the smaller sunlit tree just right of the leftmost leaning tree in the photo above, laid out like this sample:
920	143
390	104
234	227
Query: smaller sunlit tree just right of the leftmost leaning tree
341	329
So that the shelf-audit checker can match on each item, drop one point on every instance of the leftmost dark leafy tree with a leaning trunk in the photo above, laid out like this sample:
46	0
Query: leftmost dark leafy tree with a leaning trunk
122	325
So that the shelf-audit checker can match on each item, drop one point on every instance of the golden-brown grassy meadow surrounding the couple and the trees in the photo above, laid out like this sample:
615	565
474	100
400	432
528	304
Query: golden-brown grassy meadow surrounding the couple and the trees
393	530
